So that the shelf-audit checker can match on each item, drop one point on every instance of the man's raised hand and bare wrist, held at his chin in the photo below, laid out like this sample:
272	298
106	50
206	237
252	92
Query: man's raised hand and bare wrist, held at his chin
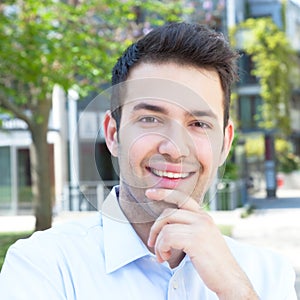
191	230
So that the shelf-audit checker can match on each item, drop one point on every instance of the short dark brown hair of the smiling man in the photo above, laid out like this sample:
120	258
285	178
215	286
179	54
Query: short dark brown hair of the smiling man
184	44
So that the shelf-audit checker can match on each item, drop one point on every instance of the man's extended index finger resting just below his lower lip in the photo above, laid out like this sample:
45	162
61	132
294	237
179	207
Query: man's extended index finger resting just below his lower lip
175	197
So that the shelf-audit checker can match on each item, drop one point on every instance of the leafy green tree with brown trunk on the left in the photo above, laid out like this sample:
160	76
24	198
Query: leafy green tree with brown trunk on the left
73	44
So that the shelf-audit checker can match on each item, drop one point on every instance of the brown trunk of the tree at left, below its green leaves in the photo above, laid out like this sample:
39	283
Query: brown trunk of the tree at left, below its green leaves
40	171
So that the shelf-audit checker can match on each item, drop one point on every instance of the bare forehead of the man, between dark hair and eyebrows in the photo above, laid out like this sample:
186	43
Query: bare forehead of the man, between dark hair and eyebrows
190	88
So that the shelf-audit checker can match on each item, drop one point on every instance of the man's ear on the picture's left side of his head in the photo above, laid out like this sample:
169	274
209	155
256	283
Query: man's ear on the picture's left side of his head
110	133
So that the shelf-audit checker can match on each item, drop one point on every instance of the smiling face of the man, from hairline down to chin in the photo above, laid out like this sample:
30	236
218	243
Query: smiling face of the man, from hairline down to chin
171	132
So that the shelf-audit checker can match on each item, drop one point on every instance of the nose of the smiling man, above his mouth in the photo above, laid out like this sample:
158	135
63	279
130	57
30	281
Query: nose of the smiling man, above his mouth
175	142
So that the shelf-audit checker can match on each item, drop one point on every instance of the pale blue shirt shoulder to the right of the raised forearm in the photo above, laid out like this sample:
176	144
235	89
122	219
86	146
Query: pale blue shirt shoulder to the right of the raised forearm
269	272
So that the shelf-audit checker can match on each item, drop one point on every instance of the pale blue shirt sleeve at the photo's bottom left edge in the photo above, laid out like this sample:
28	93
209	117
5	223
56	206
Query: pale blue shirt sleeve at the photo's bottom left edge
29	273
